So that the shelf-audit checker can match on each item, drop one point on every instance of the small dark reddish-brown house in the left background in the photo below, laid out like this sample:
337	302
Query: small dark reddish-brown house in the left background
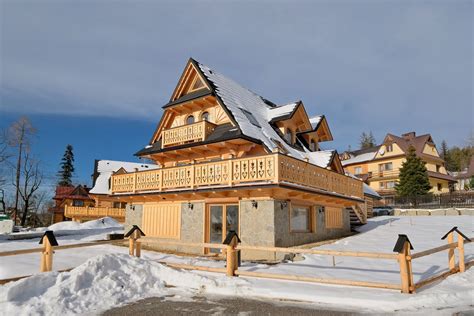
69	196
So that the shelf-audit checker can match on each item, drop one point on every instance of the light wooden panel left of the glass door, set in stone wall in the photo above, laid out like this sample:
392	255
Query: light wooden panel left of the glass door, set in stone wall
162	220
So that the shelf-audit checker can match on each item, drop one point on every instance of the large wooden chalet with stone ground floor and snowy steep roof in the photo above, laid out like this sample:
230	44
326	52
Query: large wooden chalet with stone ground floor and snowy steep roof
232	160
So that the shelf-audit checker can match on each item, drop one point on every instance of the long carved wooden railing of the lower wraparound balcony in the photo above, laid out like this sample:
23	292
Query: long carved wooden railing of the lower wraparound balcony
272	168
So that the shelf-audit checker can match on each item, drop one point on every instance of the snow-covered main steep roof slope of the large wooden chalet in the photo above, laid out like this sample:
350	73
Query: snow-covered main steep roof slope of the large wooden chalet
253	114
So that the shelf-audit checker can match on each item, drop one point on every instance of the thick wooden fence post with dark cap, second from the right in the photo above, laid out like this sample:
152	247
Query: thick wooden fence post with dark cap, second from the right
403	247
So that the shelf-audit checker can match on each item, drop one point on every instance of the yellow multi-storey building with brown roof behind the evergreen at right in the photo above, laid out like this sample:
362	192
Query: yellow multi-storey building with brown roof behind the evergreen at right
380	166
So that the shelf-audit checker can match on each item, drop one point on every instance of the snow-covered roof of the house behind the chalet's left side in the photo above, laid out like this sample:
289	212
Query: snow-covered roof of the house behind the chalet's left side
105	169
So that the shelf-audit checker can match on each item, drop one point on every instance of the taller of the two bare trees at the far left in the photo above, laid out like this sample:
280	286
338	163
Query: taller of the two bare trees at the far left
19	135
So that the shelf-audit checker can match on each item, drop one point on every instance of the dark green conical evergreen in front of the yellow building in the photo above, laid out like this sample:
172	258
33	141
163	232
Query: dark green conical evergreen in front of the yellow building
414	179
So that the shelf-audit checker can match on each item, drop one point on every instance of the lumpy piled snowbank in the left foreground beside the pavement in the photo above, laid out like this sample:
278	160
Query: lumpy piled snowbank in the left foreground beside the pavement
103	282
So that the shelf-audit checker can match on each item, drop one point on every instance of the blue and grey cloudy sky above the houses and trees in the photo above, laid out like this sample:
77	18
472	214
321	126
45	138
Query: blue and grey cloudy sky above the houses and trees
96	73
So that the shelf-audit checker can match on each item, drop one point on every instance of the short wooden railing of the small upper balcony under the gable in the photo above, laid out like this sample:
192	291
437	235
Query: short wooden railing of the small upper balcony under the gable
187	133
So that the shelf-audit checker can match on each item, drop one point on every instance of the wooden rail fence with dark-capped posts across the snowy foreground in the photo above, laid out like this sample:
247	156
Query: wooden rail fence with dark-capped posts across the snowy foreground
230	247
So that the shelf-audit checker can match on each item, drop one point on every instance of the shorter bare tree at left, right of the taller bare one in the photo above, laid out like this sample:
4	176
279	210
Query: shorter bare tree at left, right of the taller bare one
30	181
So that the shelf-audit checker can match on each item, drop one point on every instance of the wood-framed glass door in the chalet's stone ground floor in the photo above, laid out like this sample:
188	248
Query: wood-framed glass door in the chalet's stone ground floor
220	219
